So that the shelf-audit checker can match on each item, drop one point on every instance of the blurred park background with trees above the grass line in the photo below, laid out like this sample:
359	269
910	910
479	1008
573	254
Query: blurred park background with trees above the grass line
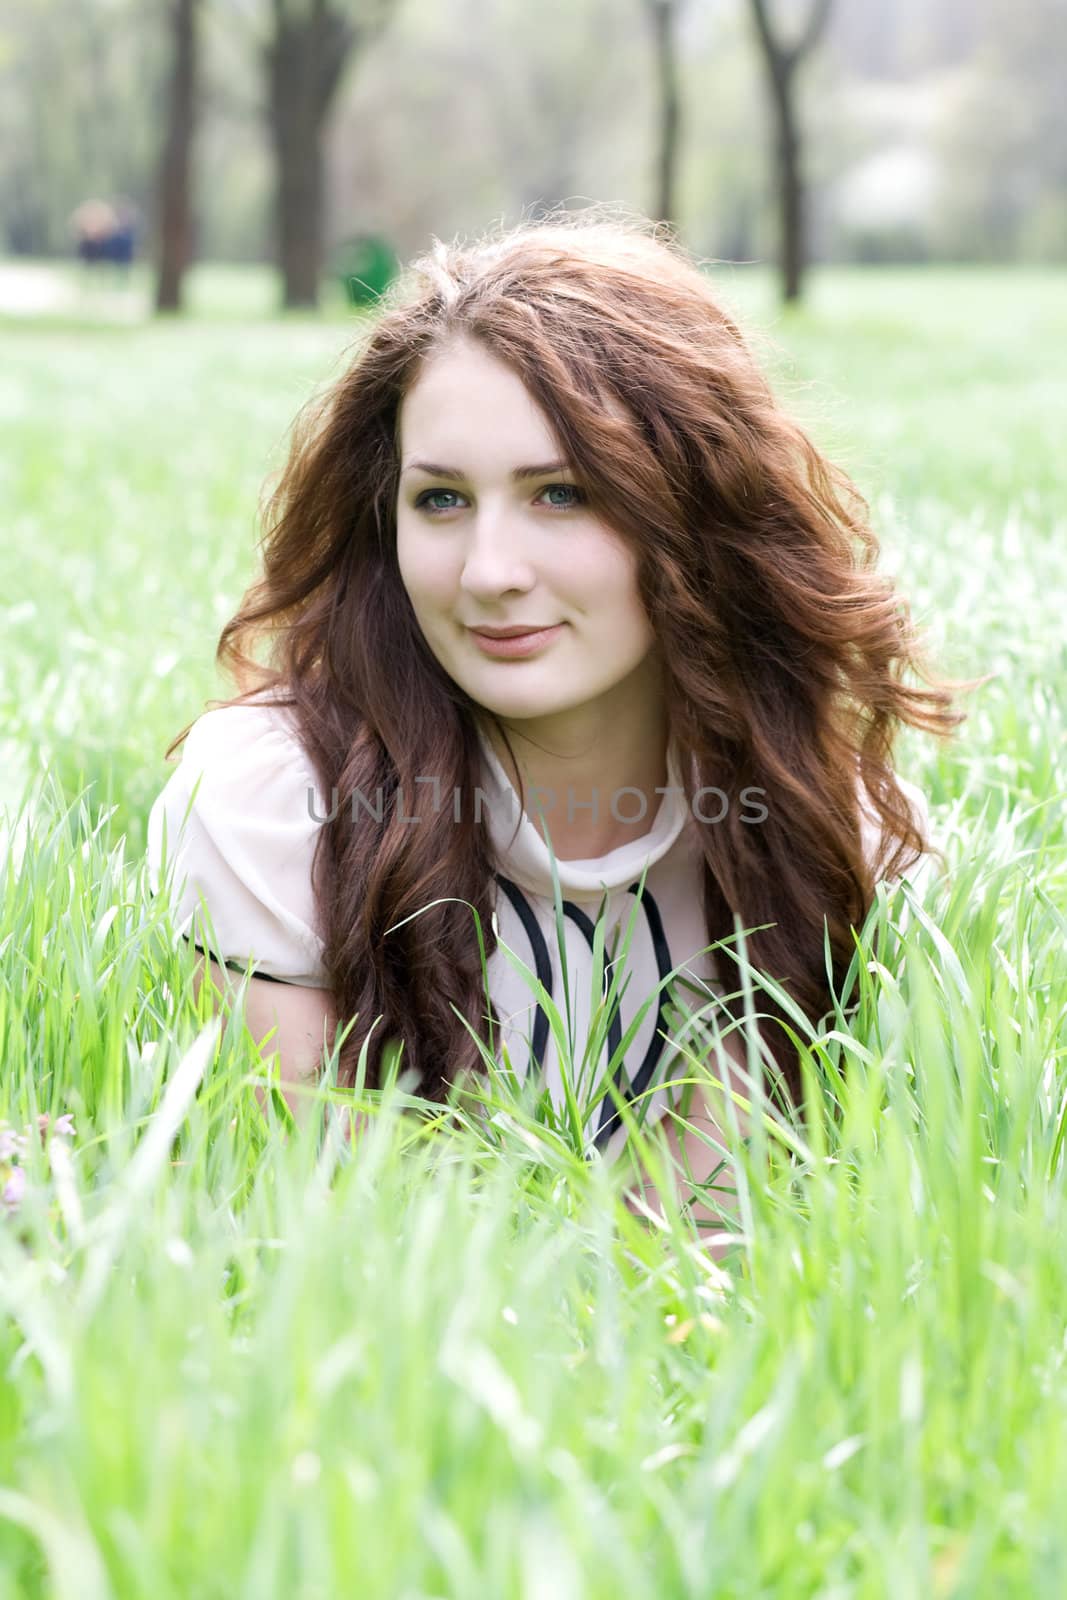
324	140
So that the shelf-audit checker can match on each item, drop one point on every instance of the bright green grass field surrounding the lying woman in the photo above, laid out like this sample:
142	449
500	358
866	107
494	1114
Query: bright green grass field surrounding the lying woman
239	1359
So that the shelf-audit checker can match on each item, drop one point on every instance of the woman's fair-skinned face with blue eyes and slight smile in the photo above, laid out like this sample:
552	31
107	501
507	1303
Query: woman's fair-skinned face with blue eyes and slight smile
482	548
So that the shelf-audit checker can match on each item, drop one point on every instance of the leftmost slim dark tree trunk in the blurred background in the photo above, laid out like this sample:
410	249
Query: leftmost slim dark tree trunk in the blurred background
175	201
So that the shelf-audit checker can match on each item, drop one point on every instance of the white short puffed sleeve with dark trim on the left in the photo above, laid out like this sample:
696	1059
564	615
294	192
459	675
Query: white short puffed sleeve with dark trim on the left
234	831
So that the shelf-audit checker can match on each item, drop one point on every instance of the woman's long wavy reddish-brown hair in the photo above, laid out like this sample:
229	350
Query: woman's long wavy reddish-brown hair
785	650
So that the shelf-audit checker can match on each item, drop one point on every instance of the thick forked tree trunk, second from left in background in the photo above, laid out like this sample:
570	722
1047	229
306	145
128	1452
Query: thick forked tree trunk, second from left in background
305	58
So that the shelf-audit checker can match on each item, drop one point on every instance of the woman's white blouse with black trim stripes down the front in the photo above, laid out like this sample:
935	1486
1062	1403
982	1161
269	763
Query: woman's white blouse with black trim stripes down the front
236	828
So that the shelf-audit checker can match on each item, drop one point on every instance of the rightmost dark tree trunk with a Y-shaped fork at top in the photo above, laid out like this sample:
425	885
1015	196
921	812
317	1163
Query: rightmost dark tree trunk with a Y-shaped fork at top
781	62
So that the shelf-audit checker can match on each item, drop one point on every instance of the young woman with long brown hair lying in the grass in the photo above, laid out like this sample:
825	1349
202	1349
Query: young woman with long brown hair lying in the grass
554	433
